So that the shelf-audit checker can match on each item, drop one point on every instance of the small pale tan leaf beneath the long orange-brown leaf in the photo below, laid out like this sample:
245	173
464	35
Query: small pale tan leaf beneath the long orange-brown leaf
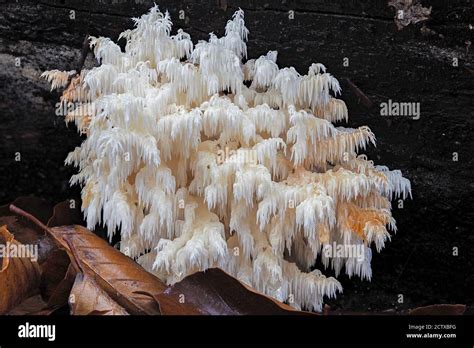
87	298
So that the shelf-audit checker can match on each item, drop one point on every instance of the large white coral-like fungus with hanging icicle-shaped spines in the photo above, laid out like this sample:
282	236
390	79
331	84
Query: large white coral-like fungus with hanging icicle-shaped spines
199	160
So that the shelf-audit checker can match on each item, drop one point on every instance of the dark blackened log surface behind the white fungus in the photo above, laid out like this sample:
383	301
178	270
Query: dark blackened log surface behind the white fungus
411	65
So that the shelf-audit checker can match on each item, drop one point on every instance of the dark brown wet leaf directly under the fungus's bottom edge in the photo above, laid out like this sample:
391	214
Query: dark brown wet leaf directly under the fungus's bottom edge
214	292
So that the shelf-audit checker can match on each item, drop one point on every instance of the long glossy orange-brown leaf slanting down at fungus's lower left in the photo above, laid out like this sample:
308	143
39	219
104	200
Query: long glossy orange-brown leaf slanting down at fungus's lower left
119	276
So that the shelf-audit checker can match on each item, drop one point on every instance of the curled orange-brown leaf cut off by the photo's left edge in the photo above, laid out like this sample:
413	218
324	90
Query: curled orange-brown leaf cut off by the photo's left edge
19	277
